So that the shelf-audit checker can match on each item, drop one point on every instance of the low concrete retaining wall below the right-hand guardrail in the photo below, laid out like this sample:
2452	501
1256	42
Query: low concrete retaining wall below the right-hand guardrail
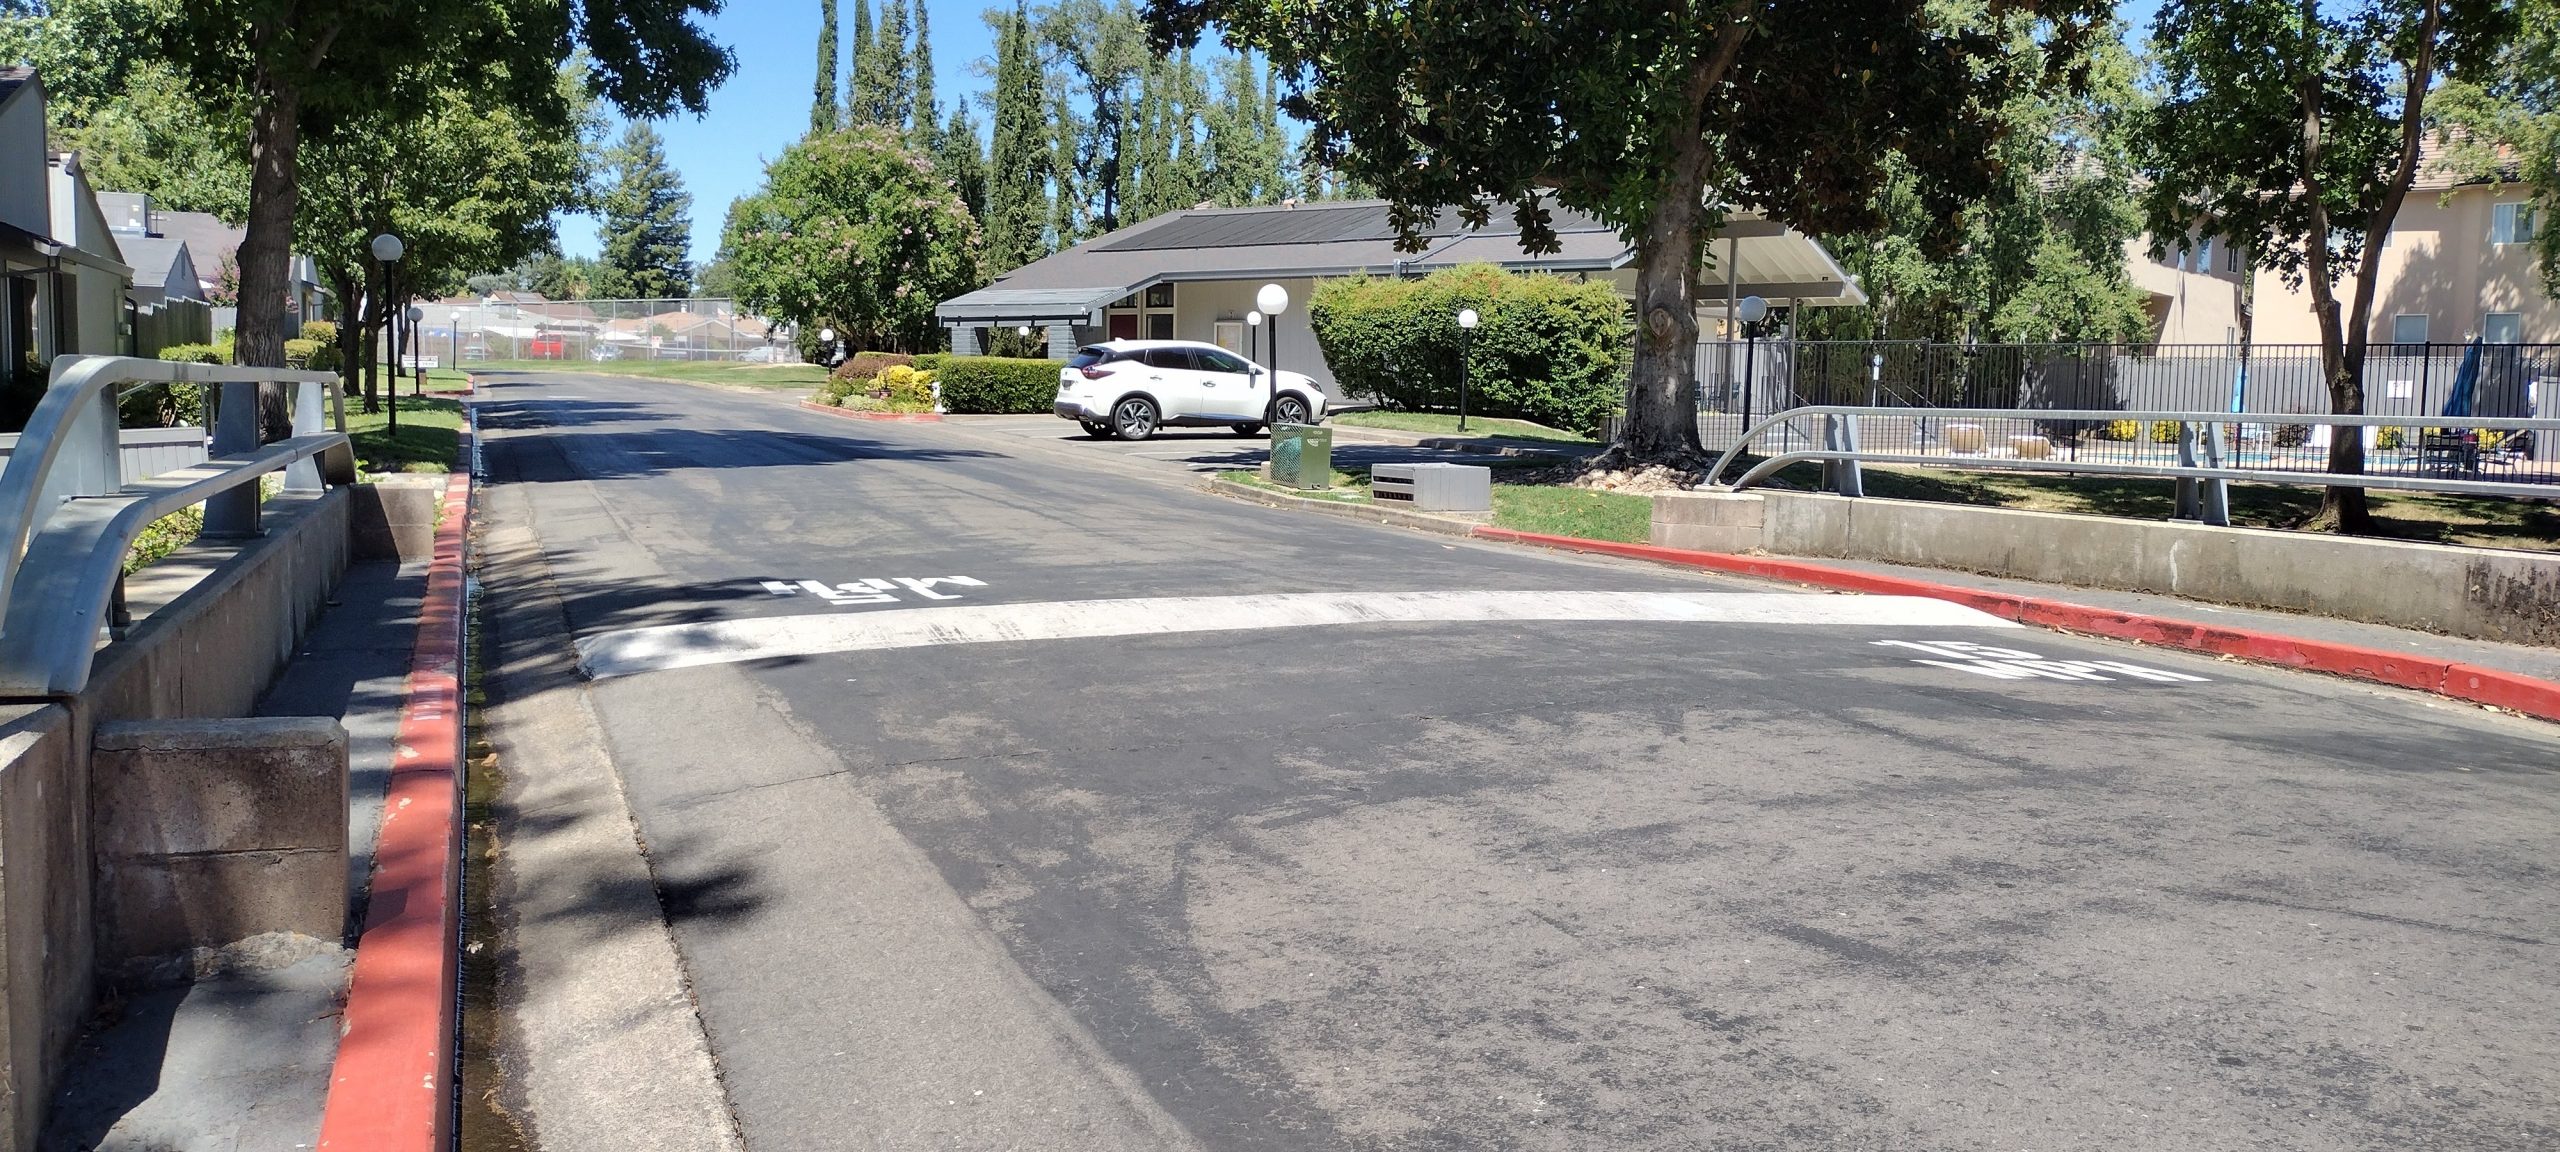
2472	593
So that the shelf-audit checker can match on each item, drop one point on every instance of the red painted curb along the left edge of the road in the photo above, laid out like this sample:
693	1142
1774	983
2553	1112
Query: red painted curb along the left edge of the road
393	1084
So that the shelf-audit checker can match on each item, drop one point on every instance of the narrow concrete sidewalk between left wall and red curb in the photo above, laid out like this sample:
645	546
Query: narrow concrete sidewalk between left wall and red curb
239	1061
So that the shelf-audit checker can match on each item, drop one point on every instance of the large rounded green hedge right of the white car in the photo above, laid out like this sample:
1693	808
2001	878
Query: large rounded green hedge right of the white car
1548	349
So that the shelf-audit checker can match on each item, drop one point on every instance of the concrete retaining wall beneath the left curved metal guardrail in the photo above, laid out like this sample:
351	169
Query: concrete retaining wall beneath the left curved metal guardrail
214	628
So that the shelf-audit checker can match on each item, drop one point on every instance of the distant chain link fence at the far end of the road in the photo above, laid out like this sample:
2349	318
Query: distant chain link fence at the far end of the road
588	332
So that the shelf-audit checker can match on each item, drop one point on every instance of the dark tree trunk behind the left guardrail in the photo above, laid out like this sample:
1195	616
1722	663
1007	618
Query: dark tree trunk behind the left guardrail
265	262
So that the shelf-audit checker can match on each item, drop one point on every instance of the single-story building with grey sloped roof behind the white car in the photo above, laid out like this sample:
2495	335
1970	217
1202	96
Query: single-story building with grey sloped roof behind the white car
1194	275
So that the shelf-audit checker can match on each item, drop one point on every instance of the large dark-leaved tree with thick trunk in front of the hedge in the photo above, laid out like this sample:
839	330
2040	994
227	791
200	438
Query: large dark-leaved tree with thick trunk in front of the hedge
1658	119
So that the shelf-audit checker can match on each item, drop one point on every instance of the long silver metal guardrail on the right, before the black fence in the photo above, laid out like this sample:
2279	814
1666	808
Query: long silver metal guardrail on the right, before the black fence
2211	449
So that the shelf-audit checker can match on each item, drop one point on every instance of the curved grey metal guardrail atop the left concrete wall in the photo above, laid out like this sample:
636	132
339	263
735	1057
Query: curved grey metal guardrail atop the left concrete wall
68	516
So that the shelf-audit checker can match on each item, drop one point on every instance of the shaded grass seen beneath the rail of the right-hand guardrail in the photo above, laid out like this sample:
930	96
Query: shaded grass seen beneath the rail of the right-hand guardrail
2408	516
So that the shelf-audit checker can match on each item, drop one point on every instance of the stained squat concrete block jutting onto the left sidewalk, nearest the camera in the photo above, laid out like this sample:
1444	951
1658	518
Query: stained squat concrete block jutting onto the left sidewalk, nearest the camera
214	831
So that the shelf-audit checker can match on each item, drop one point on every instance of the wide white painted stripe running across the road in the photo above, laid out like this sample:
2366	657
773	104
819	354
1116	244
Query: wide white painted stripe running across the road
728	641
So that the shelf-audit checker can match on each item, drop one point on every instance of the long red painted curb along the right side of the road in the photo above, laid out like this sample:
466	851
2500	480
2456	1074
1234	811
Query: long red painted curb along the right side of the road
2505	690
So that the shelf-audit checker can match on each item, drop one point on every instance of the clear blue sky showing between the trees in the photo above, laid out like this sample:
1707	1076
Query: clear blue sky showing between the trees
767	104
